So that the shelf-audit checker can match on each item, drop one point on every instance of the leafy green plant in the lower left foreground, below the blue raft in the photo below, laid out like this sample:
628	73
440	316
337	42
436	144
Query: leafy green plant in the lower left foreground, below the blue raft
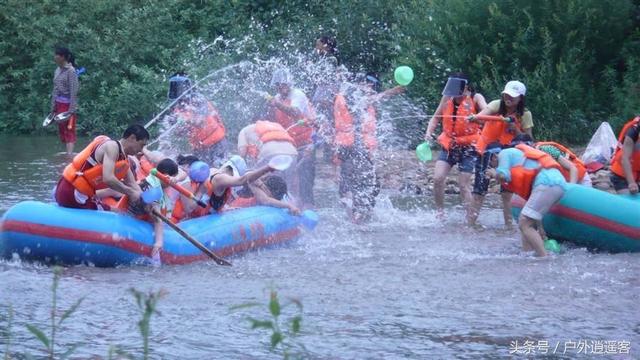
50	341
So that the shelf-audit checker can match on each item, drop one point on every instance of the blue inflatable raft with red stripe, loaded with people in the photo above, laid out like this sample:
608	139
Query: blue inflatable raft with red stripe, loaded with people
36	231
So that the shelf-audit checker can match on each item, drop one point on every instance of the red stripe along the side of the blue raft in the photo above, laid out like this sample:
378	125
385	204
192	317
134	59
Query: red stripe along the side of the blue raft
135	247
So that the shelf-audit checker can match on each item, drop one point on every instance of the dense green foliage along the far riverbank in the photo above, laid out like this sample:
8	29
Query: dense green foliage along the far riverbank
579	58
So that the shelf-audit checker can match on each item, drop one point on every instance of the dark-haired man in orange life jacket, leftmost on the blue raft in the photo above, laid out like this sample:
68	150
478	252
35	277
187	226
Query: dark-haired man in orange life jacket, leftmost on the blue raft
102	164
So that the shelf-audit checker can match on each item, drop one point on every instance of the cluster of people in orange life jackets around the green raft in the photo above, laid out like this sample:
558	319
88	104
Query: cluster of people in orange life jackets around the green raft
495	140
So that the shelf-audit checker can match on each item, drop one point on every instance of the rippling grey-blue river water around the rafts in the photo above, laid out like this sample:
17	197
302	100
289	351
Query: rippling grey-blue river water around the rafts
404	286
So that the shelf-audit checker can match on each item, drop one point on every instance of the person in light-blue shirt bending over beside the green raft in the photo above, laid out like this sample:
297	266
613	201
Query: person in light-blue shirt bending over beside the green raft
534	176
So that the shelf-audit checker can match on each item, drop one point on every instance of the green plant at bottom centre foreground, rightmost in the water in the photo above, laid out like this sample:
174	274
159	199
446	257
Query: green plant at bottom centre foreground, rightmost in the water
283	332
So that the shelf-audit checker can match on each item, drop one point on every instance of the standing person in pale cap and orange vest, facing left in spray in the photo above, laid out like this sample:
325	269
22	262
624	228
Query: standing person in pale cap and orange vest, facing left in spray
291	109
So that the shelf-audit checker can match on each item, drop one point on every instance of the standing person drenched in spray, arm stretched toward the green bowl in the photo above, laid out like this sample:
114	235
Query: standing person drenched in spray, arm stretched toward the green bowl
356	142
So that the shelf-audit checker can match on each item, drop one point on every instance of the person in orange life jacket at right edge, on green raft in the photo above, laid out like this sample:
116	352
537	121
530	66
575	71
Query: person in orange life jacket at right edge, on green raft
625	165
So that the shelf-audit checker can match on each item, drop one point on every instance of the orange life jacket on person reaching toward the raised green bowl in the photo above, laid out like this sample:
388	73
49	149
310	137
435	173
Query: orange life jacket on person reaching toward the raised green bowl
346	128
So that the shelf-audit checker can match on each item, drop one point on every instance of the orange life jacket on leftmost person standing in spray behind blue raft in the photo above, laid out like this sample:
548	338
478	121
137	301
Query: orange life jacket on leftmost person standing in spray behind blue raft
206	129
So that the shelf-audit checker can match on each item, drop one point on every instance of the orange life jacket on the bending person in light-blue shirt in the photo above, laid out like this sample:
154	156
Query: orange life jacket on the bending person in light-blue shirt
522	178
